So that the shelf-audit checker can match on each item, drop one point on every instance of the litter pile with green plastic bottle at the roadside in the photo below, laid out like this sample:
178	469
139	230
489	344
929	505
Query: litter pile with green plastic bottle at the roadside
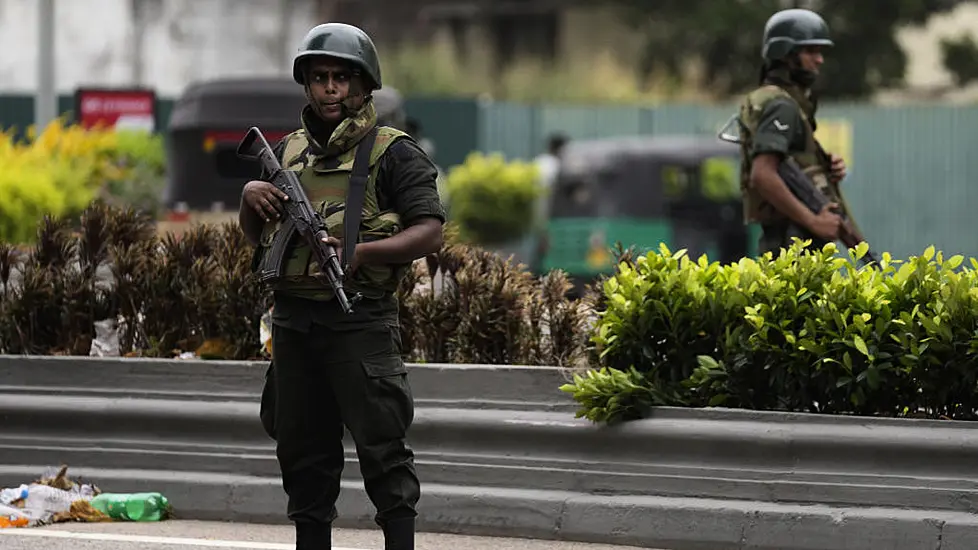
55	498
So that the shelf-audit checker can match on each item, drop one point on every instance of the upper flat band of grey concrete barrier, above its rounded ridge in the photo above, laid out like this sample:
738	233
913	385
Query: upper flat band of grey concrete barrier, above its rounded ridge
463	386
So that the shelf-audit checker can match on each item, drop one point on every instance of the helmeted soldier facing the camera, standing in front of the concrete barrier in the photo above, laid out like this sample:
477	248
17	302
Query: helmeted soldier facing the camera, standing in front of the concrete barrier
332	369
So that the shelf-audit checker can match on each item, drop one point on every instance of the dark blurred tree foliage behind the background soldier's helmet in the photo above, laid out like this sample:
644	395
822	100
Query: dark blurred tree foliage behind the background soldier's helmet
726	38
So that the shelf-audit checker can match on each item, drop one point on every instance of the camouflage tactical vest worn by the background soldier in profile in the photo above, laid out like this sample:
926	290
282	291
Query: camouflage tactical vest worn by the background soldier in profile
756	209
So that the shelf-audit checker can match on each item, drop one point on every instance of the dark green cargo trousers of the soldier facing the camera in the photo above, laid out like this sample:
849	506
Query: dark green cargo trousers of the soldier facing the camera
321	380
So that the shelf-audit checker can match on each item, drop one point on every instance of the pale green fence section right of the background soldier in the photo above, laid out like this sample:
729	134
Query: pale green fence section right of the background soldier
912	176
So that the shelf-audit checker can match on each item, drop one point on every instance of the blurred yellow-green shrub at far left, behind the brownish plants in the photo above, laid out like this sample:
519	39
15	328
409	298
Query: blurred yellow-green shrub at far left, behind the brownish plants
60	171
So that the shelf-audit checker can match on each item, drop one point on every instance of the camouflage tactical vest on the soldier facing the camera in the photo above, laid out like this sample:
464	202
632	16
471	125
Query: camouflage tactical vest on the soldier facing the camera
327	186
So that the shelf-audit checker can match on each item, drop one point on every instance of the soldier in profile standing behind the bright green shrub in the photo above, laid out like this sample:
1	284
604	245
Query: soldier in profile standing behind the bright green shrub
778	121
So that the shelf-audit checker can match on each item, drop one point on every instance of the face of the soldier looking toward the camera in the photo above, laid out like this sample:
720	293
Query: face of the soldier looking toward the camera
330	82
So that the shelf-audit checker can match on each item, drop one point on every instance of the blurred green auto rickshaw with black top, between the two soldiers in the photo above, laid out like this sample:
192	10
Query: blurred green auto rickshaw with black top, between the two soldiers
641	191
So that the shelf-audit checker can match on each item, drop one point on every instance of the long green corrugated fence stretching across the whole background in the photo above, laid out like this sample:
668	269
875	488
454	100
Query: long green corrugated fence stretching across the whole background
912	169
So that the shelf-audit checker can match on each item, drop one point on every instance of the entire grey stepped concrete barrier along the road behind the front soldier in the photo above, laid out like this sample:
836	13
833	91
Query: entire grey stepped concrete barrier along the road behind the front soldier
516	463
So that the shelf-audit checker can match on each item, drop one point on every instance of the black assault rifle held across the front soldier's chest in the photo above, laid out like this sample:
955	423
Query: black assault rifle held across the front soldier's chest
301	218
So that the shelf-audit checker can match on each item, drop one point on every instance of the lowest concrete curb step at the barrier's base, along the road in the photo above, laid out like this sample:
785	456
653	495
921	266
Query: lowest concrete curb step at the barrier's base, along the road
648	521
